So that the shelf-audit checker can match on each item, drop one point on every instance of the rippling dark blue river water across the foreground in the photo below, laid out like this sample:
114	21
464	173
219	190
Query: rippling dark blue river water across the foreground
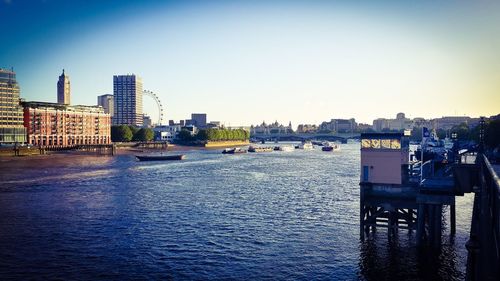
280	215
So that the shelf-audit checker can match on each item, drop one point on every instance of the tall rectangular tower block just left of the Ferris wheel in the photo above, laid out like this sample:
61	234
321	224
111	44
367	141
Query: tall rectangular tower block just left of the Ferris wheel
127	91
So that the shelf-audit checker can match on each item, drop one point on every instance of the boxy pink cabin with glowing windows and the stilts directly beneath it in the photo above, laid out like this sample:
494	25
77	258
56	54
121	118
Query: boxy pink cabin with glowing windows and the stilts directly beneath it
388	191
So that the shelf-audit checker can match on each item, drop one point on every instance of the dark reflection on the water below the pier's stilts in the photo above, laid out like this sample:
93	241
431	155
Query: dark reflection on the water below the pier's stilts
398	258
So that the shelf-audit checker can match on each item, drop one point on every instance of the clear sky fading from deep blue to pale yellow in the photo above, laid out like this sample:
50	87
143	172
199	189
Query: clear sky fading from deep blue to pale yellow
242	62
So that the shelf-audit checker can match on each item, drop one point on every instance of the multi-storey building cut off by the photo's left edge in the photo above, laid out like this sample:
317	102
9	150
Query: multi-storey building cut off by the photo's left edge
11	113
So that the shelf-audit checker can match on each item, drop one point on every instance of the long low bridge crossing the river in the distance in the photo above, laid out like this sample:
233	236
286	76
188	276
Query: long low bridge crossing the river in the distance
306	136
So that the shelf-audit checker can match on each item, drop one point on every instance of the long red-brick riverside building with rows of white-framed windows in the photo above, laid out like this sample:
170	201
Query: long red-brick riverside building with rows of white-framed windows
55	124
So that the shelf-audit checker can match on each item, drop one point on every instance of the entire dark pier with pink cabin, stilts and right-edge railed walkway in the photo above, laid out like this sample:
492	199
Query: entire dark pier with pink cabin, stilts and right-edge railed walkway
397	192
